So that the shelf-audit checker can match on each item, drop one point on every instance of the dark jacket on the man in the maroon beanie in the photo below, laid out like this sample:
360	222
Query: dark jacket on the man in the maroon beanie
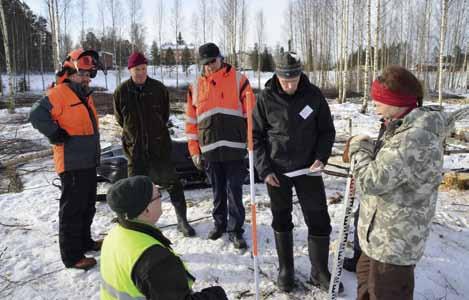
142	112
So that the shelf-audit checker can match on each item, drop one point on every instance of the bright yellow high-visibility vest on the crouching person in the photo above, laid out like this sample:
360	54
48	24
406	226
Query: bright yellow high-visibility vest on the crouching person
121	249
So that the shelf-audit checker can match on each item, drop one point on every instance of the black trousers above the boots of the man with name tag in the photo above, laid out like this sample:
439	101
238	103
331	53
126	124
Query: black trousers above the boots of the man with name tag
312	198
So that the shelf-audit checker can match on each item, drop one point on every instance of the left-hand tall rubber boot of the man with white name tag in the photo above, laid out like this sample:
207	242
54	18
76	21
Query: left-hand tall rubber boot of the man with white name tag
286	274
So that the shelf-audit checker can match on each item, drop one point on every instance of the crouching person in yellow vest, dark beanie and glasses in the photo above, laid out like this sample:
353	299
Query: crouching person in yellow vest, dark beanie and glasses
137	261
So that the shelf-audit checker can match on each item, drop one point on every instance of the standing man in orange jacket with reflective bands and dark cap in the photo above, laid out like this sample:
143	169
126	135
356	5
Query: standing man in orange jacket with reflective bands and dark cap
216	131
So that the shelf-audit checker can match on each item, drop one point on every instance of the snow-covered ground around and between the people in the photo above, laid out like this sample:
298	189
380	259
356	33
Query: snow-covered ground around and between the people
30	265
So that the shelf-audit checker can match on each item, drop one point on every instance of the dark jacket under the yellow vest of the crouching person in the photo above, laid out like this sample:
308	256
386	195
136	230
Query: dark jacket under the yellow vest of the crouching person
160	274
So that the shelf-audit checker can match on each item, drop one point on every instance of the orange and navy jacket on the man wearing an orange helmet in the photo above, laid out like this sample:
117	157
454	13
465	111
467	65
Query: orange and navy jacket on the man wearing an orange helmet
63	108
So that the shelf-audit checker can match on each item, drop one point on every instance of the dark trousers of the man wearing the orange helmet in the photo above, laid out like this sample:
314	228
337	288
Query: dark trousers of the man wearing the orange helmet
77	209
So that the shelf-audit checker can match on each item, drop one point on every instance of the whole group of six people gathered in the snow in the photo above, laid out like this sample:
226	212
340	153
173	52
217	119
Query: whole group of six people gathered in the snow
293	129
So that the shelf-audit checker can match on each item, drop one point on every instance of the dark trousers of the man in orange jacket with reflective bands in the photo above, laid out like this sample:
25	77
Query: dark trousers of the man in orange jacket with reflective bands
227	179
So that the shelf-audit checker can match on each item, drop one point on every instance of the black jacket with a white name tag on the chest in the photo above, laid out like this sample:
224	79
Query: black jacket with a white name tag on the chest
290	132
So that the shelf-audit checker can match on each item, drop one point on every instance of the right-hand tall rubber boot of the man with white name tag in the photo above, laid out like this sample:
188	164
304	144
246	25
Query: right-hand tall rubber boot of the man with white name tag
318	248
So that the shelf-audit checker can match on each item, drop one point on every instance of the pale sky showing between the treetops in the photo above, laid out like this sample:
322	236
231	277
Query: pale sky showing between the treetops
273	15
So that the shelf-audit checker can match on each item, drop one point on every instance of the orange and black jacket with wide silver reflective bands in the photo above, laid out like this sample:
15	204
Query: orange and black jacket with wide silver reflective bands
216	115
